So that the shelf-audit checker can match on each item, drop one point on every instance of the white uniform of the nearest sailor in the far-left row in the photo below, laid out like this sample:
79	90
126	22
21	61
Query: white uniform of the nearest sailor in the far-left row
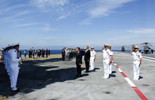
14	69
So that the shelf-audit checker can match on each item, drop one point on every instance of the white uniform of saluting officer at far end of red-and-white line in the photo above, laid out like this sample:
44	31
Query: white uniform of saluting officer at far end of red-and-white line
106	60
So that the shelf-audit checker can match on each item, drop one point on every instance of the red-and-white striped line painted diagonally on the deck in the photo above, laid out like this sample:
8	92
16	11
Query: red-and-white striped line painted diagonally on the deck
139	93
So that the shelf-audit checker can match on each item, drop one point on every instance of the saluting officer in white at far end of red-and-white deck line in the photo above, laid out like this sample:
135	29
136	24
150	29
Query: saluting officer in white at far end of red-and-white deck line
107	60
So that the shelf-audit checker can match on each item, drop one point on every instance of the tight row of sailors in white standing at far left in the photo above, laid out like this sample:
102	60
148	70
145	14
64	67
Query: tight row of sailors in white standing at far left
12	61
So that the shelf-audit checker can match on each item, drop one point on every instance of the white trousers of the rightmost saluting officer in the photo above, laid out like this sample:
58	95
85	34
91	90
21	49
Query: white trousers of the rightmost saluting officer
136	69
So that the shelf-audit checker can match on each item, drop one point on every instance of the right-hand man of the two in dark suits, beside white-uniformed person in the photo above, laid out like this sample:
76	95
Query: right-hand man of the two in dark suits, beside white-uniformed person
87	58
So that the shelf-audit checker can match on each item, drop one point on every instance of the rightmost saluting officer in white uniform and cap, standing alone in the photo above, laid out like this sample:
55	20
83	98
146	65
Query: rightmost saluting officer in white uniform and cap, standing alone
137	57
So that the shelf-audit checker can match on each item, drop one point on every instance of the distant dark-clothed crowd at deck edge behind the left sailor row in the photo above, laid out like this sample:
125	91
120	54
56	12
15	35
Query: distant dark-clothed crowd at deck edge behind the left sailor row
37	53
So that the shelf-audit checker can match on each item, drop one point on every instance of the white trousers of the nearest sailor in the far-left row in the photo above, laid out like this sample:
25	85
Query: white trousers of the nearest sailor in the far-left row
14	76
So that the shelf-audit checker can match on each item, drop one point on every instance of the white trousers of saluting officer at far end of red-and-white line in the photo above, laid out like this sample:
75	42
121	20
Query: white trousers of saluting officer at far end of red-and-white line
106	68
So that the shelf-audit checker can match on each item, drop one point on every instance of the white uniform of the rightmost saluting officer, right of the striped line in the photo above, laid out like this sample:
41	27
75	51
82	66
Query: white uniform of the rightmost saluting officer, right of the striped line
136	68
